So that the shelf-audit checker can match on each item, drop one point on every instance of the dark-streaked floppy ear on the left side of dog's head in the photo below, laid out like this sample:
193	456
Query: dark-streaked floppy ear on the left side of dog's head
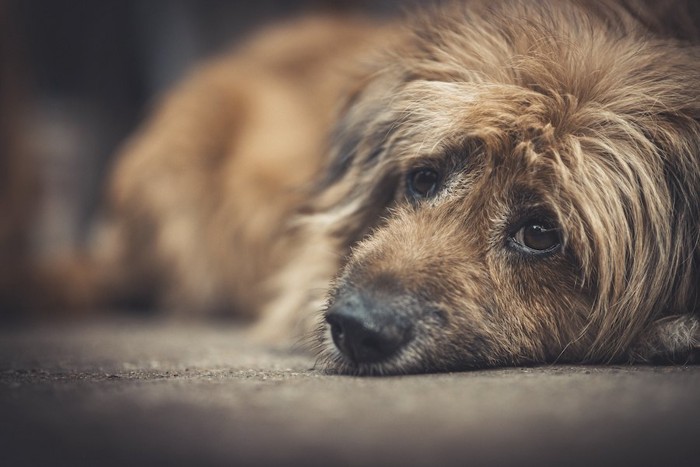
359	181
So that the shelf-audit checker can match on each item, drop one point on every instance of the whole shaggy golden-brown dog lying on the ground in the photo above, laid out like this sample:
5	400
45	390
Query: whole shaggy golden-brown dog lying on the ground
485	183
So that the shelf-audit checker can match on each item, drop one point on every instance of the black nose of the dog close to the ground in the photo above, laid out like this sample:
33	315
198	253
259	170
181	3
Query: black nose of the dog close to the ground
366	330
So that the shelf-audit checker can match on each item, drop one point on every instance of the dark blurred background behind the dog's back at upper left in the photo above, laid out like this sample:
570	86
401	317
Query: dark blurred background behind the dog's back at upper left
76	77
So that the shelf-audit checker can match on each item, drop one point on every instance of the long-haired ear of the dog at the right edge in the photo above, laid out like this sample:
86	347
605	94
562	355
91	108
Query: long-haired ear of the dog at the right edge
660	202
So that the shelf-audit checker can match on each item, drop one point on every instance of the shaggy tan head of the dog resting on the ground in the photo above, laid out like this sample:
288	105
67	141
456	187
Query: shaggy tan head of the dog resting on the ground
513	188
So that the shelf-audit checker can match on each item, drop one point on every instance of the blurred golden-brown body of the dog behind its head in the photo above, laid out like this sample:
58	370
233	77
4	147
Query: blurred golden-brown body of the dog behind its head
198	200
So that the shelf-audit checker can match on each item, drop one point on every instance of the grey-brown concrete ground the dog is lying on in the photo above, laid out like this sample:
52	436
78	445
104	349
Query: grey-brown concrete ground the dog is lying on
151	393
